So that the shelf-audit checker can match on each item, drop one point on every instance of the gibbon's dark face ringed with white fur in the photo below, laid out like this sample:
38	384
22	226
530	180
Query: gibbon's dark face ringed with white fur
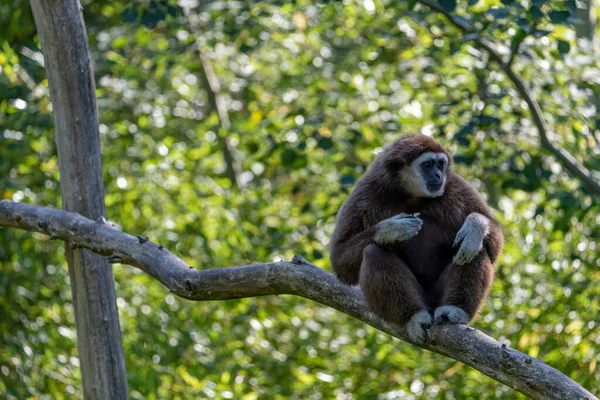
426	175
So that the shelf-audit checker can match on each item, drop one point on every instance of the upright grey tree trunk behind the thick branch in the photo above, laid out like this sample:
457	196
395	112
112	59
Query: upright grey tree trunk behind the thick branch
73	92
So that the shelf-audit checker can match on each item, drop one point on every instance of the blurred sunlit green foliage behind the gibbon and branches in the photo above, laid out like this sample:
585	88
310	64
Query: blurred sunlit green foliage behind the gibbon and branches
312	92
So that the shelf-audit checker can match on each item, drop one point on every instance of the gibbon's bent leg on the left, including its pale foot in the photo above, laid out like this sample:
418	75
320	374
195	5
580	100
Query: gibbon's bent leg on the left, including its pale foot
392	291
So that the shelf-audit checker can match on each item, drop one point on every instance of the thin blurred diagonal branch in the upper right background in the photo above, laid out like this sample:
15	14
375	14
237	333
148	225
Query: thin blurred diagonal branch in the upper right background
567	160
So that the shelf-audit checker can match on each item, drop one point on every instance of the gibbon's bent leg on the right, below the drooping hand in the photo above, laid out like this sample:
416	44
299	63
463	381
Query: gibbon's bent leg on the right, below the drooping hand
463	289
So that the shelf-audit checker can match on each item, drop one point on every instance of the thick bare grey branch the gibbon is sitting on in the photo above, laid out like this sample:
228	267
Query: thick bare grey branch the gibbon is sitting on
460	342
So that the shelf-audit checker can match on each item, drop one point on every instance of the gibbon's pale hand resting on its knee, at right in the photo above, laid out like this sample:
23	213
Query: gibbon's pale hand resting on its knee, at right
470	237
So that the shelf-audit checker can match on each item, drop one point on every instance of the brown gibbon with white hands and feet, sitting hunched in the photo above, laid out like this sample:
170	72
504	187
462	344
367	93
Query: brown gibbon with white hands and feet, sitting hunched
409	280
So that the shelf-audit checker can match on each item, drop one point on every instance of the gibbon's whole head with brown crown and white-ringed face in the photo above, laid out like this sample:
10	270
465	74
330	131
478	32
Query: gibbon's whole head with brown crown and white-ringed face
419	163
